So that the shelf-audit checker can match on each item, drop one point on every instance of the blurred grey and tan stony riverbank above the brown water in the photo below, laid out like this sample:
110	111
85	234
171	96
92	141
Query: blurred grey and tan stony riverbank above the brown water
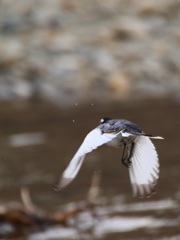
78	51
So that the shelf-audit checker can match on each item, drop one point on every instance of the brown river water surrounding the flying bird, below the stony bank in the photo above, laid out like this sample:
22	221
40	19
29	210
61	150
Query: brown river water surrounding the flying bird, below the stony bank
39	165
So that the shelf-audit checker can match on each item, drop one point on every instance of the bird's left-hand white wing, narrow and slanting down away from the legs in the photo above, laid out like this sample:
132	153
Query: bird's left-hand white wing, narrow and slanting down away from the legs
93	140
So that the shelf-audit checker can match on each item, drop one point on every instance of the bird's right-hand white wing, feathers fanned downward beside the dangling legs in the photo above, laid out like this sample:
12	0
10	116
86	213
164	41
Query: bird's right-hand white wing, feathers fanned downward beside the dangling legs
144	170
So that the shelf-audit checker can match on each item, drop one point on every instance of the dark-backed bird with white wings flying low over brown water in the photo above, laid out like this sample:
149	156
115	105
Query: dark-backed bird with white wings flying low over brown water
139	154
